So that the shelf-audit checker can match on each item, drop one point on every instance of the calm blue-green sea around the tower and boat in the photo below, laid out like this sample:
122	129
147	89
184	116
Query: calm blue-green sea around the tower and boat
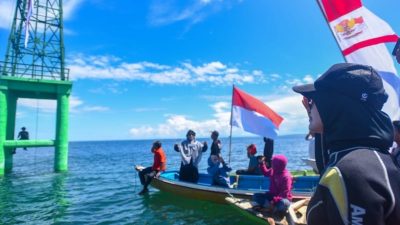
101	185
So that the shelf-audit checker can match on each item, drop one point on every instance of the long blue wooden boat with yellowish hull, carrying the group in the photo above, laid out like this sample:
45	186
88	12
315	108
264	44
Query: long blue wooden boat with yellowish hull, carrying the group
244	186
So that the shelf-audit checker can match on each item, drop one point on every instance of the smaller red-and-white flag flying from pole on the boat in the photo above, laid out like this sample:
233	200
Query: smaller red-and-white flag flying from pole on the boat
253	116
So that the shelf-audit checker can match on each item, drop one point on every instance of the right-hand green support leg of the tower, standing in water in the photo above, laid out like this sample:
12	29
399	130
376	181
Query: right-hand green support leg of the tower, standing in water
61	148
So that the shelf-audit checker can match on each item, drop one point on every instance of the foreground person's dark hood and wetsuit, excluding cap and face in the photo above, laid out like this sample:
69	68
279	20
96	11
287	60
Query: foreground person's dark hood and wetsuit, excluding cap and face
361	182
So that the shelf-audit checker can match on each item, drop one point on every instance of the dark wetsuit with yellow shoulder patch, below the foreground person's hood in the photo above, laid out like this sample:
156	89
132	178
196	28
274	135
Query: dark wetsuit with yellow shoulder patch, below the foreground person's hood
360	186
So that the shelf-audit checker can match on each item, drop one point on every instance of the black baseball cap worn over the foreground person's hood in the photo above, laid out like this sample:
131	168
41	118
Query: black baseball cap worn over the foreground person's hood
359	82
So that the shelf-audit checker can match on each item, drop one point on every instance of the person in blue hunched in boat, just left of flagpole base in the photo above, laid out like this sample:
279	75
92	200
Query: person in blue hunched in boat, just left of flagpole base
219	174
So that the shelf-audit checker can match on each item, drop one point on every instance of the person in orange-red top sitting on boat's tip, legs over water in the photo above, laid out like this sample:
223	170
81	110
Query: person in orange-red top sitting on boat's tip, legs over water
159	165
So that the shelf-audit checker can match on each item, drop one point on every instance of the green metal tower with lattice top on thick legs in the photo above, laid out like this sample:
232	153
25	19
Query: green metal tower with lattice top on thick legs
34	68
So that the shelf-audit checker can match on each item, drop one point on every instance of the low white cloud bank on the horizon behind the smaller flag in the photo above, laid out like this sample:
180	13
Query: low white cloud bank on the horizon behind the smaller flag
289	107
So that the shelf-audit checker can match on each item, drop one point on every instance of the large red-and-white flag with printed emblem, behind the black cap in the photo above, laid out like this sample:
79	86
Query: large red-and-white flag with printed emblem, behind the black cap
361	36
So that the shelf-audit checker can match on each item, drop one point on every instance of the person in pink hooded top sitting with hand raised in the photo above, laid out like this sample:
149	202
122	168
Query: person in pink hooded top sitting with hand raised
279	196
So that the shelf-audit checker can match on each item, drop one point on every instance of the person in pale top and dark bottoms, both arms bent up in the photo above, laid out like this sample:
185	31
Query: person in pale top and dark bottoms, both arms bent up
191	151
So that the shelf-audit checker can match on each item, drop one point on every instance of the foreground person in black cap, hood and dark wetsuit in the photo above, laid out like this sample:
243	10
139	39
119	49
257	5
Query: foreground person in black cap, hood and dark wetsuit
360	184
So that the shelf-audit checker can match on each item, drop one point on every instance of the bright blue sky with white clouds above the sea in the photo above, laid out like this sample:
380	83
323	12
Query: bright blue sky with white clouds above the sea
153	69
